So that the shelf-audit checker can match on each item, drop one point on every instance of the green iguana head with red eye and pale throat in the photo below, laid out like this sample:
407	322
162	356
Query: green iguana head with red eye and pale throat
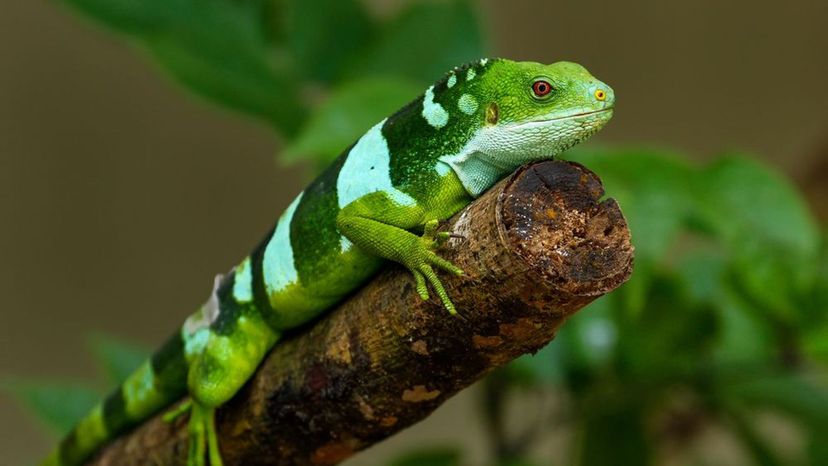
523	111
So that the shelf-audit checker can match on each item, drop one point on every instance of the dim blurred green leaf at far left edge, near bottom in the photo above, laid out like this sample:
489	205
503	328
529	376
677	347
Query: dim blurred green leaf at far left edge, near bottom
58	405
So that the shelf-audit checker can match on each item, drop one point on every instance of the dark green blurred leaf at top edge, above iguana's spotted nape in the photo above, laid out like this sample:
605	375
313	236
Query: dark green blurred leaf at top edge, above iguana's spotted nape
425	41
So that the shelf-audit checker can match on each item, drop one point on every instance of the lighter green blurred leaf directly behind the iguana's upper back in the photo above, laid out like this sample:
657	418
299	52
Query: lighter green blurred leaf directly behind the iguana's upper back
350	111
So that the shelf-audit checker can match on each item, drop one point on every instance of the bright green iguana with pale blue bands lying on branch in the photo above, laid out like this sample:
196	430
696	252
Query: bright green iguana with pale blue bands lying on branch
381	200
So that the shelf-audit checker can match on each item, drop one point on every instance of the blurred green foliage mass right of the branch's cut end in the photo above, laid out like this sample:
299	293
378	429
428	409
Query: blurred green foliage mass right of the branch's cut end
723	321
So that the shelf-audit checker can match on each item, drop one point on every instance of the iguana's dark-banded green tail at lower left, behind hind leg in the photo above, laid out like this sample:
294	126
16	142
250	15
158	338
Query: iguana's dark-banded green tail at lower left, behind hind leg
156	384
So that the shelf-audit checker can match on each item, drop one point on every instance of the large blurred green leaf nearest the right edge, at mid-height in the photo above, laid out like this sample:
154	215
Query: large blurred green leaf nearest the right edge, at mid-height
768	230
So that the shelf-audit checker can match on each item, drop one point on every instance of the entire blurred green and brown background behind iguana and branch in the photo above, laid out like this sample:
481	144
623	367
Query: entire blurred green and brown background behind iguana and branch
122	194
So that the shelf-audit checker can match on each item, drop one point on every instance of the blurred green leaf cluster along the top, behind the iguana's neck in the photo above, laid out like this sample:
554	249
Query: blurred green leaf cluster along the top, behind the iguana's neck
299	65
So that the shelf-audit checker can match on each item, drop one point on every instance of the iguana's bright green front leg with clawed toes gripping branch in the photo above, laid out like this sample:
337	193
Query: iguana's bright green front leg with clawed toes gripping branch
382	226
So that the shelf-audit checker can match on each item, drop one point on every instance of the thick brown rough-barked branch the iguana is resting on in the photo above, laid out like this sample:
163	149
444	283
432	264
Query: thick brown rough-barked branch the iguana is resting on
536	248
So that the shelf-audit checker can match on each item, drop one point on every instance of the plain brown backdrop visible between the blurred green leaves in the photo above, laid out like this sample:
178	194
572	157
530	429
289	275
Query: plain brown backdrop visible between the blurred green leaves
121	197
